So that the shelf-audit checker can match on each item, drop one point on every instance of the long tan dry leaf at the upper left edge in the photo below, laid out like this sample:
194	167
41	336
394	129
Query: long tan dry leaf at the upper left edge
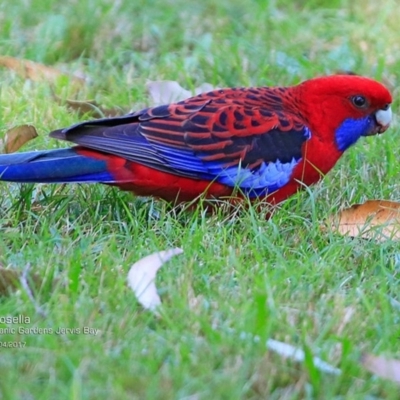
36	71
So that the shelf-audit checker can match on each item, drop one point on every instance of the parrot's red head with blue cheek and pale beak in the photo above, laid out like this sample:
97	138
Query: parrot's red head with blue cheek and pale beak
345	107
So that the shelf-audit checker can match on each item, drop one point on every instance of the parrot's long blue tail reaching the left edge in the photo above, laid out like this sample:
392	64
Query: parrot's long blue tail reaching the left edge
55	166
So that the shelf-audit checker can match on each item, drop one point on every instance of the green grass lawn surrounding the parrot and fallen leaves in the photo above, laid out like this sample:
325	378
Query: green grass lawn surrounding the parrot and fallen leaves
241	279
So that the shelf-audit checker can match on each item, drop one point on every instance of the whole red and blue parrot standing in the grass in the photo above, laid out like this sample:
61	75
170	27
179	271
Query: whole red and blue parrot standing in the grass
268	142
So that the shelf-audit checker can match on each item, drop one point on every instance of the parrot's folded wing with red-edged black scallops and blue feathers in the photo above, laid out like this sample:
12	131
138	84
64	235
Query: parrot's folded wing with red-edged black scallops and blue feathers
231	142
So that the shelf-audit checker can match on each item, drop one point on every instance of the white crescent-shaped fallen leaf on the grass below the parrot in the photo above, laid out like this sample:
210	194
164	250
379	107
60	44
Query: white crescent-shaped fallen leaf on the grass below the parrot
142	274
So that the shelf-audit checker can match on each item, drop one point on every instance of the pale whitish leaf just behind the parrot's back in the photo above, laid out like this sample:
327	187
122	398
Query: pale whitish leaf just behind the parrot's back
164	92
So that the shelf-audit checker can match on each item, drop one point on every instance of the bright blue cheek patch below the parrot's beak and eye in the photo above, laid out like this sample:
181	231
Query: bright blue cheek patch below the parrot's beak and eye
351	130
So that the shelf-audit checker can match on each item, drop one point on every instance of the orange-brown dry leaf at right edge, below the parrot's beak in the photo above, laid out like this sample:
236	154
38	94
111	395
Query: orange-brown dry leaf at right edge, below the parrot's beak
377	219
